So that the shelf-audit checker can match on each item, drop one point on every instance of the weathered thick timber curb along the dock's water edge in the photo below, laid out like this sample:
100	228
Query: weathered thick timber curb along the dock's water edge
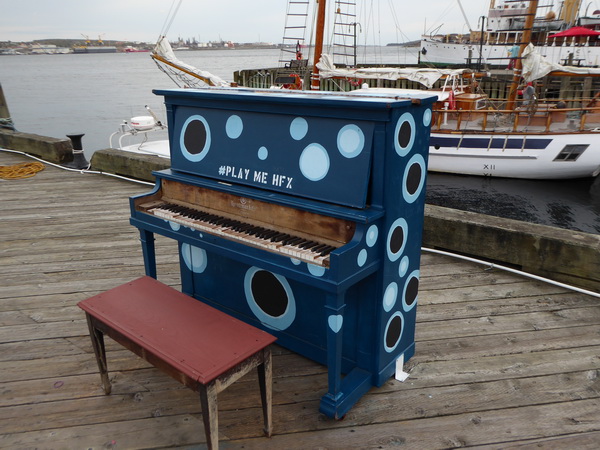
563	255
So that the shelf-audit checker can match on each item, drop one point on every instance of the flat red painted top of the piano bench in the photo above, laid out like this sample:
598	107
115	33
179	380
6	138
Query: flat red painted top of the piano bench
170	324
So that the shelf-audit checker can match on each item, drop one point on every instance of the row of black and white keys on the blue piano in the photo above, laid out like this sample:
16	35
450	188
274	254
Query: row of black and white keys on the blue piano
275	241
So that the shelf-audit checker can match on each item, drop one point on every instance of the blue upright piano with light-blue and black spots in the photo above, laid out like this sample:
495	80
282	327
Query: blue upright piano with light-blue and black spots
300	213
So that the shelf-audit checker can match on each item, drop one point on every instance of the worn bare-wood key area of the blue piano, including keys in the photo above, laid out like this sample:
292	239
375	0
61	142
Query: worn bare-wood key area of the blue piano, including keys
300	234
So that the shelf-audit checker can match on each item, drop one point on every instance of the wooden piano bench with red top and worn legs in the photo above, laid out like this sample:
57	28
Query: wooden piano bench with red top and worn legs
201	347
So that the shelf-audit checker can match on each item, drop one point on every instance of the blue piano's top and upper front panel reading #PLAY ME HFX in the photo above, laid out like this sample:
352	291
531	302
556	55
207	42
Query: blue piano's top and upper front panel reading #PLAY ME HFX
316	145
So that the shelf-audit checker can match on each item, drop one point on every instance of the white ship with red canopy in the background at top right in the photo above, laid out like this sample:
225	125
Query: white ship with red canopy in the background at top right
558	32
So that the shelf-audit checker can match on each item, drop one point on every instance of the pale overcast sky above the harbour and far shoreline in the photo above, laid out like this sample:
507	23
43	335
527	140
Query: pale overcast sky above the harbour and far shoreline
230	20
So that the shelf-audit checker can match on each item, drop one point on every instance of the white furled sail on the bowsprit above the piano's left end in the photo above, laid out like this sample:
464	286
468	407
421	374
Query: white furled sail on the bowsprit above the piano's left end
188	75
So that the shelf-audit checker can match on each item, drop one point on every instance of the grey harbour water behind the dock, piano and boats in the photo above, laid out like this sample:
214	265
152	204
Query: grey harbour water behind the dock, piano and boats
56	95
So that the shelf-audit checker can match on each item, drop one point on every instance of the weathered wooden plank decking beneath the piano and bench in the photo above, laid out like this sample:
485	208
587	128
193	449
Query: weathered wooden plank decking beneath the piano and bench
501	361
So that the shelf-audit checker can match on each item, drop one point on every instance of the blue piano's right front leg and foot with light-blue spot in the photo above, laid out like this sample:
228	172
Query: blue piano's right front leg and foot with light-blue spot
343	393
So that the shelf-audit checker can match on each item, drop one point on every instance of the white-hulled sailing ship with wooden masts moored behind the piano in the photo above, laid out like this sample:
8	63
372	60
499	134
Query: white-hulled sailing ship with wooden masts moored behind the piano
528	136
